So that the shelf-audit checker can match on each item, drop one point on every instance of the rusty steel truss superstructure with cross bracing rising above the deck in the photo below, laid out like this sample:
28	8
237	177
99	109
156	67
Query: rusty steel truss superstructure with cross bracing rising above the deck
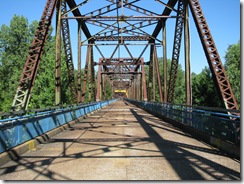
124	29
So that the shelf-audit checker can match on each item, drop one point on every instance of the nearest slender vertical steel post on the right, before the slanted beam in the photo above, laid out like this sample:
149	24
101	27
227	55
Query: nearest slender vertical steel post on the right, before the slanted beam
187	56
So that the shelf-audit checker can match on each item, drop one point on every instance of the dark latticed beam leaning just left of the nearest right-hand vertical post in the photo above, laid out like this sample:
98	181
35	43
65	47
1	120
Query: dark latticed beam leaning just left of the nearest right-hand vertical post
176	51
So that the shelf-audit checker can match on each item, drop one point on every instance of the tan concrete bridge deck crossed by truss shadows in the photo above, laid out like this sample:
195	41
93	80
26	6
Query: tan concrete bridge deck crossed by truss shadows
122	142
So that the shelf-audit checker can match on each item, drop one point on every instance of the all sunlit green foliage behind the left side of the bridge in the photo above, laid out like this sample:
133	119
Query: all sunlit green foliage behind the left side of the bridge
15	41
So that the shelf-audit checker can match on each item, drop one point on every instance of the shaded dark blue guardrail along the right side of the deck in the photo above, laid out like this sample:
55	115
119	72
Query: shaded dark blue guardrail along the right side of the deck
213	121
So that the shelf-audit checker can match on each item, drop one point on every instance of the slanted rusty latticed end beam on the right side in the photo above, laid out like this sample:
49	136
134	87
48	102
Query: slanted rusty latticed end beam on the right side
213	58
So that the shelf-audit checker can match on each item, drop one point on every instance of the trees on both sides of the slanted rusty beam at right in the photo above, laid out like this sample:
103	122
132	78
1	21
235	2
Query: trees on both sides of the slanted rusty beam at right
203	89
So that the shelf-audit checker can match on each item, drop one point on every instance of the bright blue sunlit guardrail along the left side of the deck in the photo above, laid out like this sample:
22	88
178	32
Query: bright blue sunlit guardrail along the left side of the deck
21	128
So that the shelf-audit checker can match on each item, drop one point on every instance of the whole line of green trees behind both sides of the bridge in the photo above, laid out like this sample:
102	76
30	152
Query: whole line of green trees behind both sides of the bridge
16	39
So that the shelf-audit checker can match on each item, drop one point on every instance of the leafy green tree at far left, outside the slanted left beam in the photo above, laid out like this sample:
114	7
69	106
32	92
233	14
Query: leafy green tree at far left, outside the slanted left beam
14	43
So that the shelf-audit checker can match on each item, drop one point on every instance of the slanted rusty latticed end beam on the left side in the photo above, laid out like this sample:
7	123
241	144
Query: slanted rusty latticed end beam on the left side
28	76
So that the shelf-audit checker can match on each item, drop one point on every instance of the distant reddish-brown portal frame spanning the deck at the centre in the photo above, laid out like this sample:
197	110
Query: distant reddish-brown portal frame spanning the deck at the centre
121	71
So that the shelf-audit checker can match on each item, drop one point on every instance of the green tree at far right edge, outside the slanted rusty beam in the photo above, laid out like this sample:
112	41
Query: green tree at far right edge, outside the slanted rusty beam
233	65
